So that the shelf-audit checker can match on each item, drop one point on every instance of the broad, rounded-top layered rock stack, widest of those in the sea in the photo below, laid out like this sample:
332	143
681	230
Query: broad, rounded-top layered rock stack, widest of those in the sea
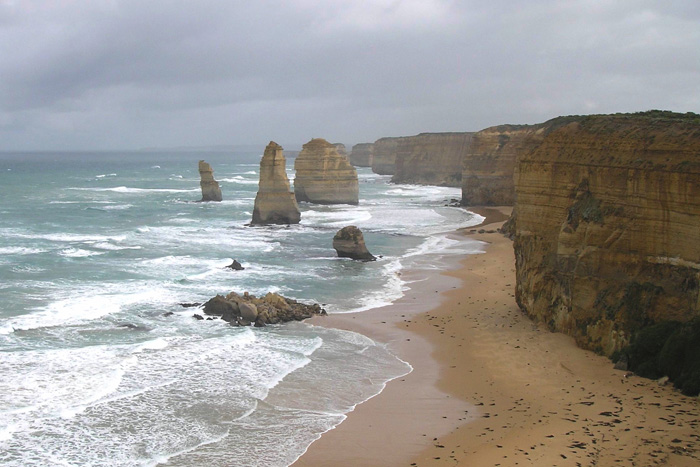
323	176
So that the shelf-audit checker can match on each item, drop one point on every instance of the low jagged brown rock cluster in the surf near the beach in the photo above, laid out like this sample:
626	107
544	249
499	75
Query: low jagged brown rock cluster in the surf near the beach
247	309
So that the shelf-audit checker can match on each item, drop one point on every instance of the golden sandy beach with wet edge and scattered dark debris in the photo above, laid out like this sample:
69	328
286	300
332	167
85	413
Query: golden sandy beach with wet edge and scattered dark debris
491	388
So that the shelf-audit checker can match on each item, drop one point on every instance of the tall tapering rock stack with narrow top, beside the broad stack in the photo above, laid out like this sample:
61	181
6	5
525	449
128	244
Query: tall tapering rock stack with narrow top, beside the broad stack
274	203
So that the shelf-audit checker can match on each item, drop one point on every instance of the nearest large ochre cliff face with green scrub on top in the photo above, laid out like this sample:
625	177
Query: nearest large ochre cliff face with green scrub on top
607	235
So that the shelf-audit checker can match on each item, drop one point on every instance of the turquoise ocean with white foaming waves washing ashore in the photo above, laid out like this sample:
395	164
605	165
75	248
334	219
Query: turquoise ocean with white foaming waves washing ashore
101	365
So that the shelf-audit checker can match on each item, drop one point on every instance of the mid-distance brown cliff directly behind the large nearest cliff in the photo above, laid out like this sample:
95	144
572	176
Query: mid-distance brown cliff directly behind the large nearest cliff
489	164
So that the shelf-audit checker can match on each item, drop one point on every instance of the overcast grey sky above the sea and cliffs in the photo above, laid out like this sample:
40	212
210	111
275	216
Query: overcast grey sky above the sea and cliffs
129	74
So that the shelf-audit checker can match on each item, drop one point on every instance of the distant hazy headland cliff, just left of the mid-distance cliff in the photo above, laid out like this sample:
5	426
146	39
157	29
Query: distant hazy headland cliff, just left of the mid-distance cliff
431	158
